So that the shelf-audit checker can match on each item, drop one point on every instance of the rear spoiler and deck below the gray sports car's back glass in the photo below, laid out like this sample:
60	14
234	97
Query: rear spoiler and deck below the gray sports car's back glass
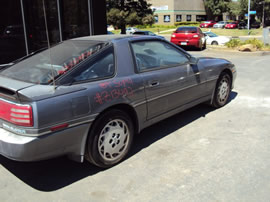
27	92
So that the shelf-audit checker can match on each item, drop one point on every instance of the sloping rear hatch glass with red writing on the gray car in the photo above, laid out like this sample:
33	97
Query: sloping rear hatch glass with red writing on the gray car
47	65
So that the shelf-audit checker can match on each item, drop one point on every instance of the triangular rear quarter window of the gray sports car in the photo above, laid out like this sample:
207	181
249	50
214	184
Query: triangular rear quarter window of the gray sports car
102	66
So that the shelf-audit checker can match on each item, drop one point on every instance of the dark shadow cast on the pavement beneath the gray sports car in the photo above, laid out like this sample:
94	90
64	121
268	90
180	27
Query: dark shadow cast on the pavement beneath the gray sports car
54	174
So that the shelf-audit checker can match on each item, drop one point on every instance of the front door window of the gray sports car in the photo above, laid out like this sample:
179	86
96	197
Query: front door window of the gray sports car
150	55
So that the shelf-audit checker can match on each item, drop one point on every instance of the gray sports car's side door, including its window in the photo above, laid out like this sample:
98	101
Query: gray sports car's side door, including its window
167	74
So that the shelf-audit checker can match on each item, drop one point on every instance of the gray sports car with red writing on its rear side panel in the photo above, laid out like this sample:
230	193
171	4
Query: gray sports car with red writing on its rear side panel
88	97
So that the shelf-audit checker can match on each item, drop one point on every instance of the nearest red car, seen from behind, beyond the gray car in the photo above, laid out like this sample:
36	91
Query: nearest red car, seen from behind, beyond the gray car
189	36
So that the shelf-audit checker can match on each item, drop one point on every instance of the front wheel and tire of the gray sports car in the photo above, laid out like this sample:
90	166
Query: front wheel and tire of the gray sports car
222	90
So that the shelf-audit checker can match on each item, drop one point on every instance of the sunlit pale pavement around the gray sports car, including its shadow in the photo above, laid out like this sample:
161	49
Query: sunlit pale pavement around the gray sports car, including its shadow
198	155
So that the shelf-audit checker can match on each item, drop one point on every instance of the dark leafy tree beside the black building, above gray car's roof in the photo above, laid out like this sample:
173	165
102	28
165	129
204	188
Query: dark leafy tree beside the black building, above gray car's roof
131	12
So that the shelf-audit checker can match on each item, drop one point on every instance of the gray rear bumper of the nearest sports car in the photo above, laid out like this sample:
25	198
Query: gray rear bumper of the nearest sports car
24	148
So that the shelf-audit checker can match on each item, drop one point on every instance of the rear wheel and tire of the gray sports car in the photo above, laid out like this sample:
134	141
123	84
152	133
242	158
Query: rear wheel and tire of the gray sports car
110	139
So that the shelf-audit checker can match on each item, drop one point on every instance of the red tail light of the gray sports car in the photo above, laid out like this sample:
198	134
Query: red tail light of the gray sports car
18	114
